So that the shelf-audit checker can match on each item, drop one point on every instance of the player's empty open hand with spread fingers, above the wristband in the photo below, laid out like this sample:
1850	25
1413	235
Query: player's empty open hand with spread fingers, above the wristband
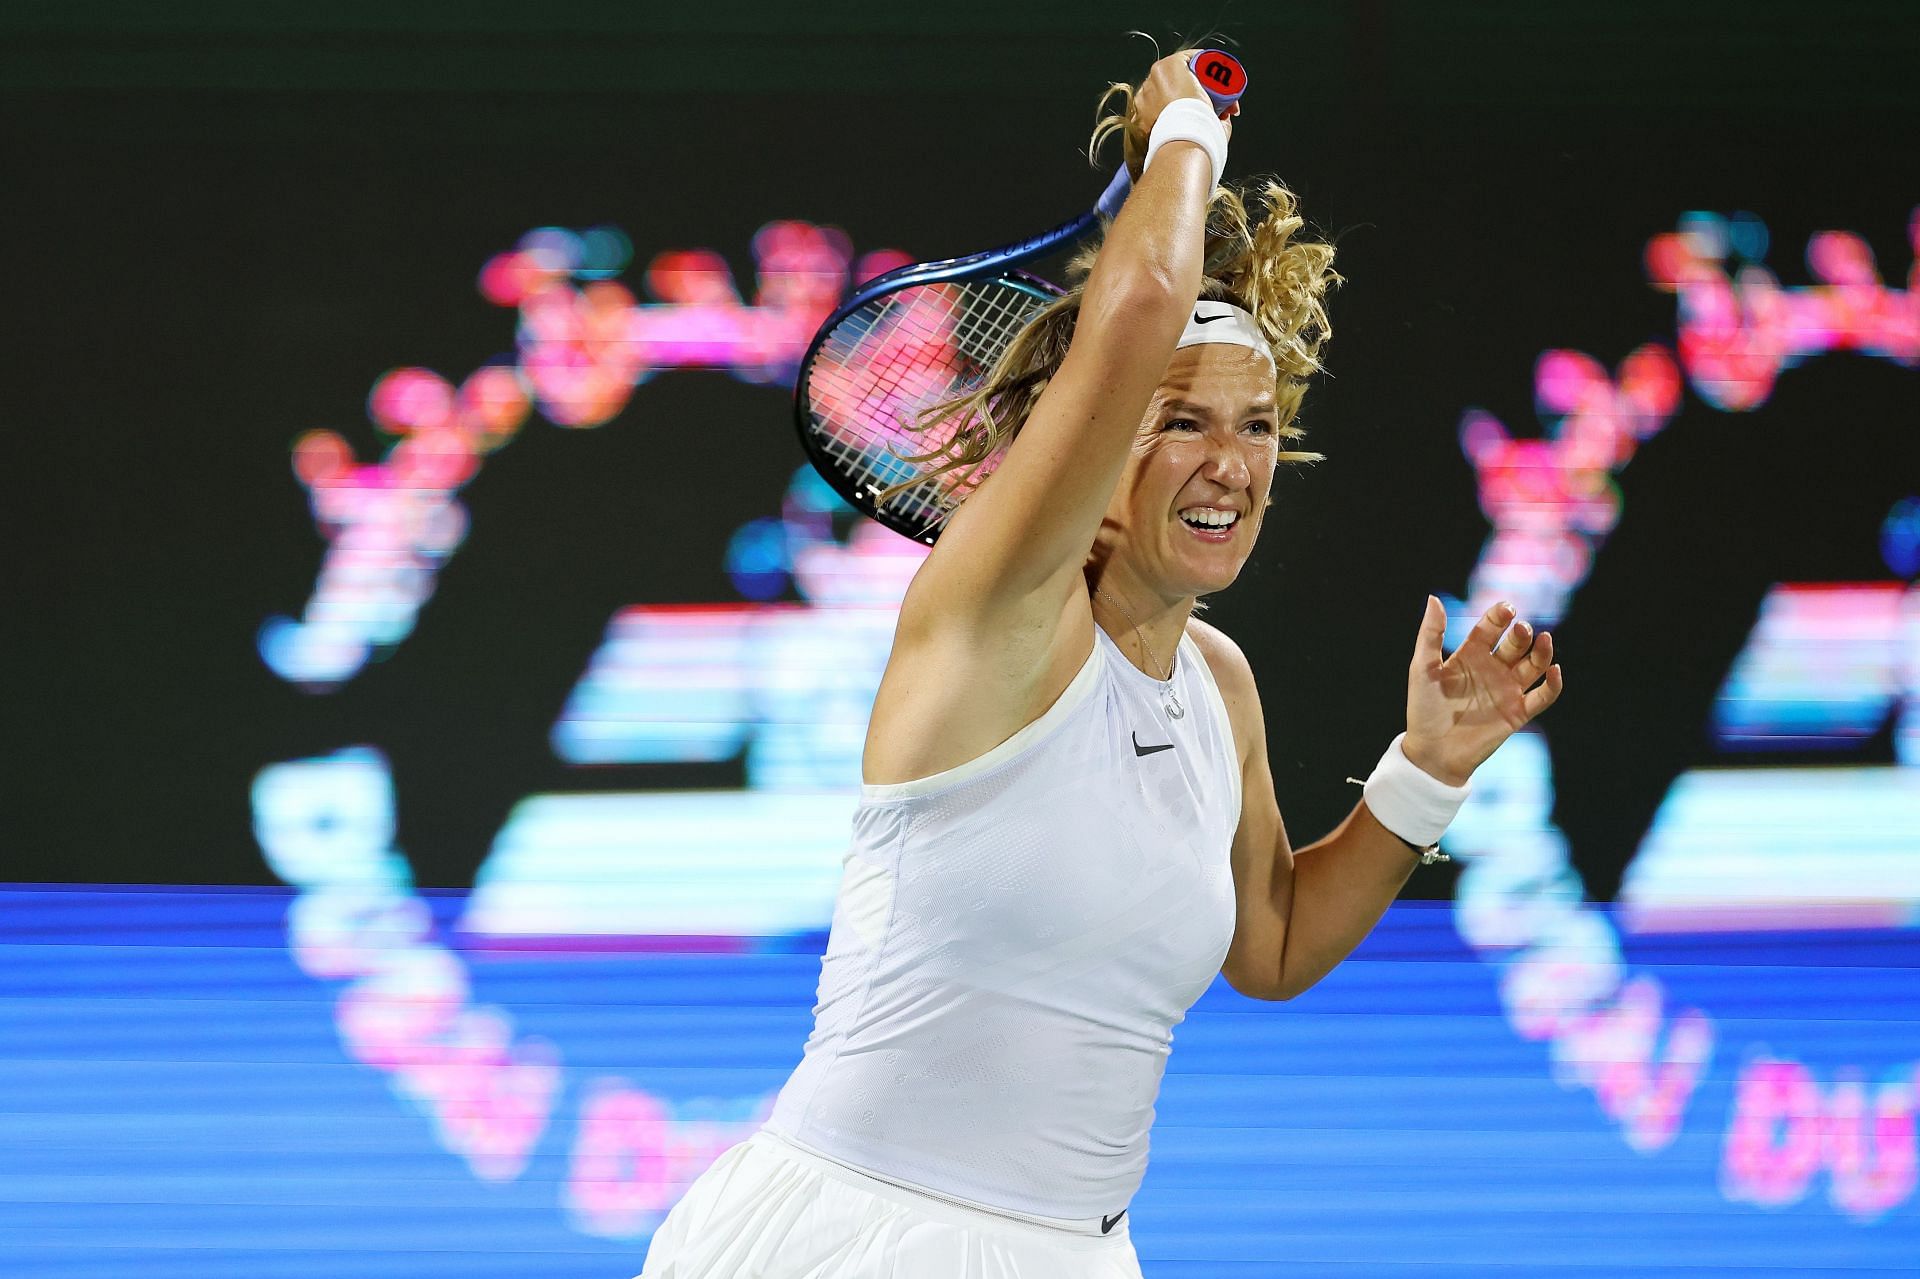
1462	708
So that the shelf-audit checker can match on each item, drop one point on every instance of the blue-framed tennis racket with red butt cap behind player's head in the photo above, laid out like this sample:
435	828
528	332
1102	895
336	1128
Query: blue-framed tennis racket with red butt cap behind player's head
926	333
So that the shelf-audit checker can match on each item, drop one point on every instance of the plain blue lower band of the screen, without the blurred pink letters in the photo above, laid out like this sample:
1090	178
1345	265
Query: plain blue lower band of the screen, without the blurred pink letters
180	1107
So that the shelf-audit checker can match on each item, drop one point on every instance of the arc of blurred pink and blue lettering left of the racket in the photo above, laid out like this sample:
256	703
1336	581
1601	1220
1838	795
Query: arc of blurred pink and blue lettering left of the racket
585	345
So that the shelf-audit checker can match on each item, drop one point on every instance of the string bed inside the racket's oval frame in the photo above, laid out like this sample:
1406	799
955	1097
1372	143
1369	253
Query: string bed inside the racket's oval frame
880	372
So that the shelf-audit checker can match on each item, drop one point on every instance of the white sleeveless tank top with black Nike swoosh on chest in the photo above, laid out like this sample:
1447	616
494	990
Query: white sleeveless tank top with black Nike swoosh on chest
1015	942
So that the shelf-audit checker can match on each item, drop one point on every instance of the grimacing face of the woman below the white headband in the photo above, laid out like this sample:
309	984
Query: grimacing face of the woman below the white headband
1188	510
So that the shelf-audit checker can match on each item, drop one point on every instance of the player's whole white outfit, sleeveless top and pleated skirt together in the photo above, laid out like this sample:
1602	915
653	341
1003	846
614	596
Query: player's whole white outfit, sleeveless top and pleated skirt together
1013	946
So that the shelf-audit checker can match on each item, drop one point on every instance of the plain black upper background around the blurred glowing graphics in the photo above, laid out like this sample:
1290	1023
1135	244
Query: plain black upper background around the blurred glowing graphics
226	224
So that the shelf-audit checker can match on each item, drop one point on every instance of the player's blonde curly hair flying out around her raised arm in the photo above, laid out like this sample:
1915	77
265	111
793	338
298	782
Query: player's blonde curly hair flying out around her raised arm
1259	264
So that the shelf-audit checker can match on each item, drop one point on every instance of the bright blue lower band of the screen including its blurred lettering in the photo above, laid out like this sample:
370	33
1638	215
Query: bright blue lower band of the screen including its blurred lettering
396	1098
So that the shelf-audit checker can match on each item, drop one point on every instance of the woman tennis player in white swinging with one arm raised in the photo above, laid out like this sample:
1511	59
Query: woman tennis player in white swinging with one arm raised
1068	823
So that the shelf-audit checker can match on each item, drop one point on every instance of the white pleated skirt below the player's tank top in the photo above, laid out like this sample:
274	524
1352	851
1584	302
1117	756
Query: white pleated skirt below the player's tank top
771	1211
